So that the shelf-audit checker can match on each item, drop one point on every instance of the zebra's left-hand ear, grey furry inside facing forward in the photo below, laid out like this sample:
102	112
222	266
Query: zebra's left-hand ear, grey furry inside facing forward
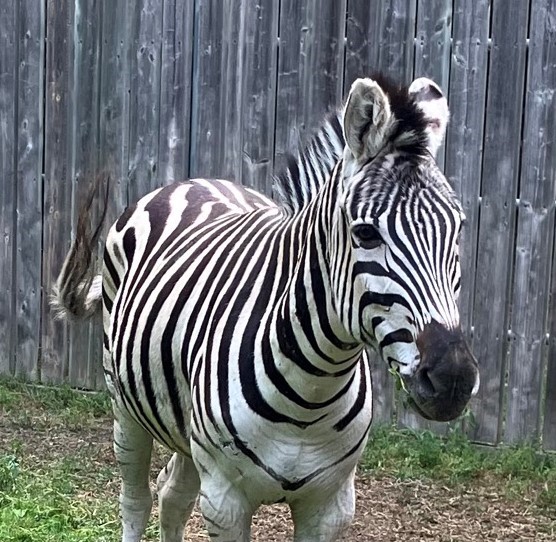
367	119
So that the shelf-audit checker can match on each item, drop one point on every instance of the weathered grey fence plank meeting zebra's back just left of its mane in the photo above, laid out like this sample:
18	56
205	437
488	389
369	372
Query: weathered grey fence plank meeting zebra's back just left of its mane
259	44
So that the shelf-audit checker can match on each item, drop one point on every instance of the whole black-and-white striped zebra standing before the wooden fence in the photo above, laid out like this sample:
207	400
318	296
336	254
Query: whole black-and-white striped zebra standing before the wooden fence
235	325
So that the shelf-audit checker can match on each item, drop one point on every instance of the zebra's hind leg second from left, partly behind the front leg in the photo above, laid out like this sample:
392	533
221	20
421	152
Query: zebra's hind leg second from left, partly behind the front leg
178	486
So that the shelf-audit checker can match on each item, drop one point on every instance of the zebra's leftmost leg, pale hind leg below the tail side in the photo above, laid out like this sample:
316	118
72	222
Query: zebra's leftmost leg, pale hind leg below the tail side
133	446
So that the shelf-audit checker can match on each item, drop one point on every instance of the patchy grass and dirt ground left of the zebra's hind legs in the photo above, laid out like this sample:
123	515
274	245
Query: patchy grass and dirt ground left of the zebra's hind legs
58	481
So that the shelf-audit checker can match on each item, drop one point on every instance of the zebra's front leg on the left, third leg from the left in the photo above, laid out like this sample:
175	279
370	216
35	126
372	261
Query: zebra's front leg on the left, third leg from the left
226	510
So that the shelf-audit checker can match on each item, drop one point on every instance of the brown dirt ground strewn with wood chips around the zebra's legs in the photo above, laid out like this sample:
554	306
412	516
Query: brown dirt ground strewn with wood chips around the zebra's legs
387	510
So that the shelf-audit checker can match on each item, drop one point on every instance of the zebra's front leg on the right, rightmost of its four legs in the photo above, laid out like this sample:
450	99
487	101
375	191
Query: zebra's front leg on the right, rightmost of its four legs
326	519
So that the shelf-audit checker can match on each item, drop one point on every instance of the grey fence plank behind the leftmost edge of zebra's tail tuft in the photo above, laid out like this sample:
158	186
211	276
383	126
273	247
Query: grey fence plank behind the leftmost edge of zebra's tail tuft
57	213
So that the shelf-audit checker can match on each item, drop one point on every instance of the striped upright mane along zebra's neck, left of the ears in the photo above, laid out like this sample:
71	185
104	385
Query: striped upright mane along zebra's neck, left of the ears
307	171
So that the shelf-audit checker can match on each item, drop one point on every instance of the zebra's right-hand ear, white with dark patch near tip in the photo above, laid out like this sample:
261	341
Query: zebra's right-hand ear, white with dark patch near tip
429	99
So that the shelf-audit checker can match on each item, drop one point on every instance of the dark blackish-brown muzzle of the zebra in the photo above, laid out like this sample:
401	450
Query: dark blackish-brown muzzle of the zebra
447	375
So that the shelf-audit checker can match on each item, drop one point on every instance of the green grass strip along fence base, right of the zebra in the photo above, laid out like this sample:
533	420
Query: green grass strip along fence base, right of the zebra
408	454
